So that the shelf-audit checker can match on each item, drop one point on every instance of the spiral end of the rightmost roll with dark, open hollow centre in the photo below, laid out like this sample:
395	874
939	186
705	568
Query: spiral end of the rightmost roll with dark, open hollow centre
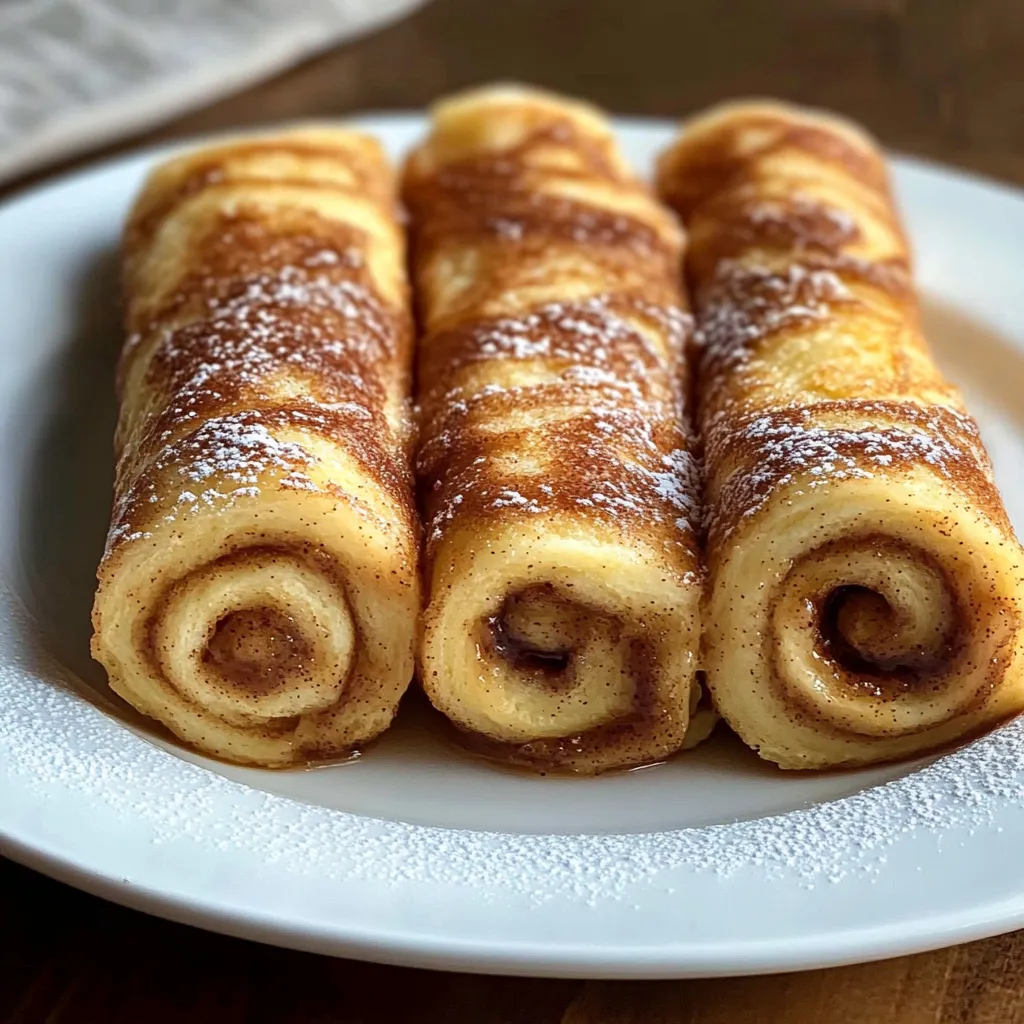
880	629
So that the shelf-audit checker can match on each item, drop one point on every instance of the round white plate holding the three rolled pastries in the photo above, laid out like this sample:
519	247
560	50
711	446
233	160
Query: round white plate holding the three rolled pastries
417	854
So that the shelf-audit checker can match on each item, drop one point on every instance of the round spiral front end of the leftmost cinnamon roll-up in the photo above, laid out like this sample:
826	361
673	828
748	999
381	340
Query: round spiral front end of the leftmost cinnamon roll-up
272	633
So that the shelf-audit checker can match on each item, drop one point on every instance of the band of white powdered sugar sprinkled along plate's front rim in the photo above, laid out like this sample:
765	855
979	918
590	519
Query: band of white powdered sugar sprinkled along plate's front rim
52	740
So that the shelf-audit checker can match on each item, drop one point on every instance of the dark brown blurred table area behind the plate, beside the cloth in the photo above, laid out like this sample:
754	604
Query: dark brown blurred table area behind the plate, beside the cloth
940	78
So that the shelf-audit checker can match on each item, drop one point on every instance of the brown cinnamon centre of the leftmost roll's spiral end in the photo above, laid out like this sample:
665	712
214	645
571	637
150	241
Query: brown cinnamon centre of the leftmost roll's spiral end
258	650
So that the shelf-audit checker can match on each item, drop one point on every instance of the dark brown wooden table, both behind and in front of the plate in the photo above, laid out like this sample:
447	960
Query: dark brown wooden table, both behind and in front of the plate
943	78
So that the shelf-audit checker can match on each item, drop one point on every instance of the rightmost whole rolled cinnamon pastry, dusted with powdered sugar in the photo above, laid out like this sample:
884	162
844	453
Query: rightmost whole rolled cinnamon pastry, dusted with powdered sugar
864	600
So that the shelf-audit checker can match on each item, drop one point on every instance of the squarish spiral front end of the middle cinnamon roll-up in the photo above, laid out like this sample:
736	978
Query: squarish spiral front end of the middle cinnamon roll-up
562	647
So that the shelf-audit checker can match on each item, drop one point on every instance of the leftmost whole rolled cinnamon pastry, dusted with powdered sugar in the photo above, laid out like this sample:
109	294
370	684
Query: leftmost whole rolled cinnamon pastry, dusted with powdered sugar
260	590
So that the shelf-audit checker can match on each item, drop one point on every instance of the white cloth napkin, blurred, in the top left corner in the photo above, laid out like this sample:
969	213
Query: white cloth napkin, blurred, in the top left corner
75	74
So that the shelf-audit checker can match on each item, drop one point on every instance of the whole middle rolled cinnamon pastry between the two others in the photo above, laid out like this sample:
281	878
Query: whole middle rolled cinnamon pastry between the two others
558	484
